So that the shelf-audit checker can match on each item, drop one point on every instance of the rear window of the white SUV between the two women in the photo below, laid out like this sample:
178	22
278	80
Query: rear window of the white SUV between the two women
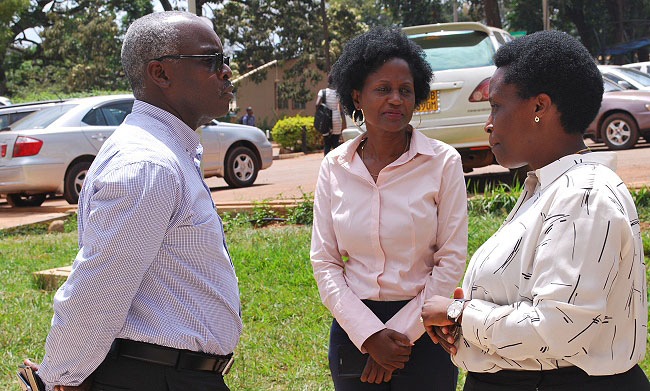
456	49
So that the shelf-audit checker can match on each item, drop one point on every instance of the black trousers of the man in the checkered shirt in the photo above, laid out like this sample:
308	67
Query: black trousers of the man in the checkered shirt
122	373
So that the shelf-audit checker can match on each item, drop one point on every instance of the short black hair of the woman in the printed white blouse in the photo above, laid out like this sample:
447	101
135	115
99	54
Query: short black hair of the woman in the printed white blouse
556	64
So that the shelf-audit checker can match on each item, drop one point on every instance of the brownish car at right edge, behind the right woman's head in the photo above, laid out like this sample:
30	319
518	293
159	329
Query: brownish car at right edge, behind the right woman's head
624	116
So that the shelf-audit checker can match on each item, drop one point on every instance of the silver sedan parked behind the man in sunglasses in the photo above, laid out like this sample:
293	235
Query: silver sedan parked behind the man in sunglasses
50	151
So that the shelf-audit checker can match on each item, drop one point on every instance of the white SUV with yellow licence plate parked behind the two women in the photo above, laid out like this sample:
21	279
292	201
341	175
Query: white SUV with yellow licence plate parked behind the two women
460	55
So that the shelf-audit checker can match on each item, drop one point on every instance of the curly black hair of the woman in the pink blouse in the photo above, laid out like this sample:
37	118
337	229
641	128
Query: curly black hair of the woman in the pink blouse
365	53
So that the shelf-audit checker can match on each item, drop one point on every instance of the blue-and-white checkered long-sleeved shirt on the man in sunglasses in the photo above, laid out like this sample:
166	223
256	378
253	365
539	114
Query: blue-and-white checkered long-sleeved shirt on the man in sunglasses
152	264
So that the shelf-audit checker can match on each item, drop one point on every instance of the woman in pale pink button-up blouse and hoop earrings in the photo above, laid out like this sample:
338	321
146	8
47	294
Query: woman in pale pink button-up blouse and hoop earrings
390	223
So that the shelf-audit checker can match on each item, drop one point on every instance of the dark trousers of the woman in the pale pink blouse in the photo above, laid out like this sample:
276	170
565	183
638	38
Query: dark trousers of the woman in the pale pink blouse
429	366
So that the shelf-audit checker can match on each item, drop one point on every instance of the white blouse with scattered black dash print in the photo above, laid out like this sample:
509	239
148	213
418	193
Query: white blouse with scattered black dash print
562	282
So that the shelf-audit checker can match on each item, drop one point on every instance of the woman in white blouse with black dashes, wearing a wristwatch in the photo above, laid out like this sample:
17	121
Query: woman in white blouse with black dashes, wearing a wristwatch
557	296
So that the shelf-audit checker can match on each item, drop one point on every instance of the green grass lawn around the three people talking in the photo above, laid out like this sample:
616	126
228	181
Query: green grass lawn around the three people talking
284	343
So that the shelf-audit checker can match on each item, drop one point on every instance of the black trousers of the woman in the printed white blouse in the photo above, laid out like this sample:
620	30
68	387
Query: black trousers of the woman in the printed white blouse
563	379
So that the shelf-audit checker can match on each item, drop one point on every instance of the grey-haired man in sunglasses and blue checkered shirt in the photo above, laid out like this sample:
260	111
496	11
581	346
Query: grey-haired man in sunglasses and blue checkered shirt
152	302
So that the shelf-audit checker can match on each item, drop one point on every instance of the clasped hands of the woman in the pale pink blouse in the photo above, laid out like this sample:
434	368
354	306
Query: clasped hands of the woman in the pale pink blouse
388	348
